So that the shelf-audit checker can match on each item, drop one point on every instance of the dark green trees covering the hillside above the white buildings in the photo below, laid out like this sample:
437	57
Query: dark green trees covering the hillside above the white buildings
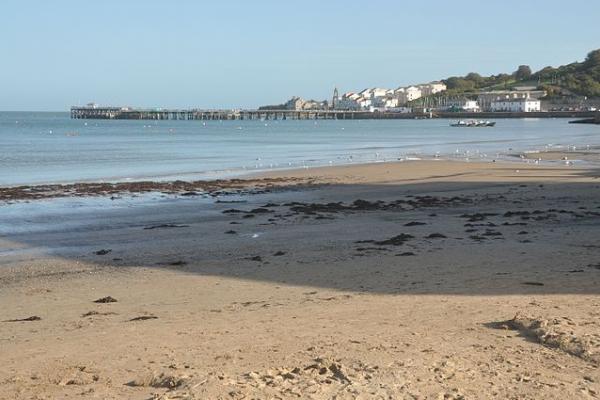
575	79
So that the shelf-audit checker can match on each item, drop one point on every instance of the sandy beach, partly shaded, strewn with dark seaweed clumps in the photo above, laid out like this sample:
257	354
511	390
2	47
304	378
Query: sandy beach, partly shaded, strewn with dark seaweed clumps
405	280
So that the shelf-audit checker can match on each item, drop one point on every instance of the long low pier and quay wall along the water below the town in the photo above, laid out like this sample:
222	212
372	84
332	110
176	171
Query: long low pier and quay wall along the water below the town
224	115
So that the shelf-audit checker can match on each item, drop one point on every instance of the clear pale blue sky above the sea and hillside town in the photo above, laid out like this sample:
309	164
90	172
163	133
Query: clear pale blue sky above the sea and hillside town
54	54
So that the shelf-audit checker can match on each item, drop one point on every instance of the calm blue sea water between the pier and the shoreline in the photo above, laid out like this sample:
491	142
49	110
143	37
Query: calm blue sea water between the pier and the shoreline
37	148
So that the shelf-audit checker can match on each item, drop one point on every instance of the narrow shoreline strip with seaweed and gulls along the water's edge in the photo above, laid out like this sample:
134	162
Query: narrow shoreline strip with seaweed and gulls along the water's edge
253	181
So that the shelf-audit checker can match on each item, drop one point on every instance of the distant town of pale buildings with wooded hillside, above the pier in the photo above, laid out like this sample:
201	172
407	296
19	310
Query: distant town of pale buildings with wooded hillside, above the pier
572	87
